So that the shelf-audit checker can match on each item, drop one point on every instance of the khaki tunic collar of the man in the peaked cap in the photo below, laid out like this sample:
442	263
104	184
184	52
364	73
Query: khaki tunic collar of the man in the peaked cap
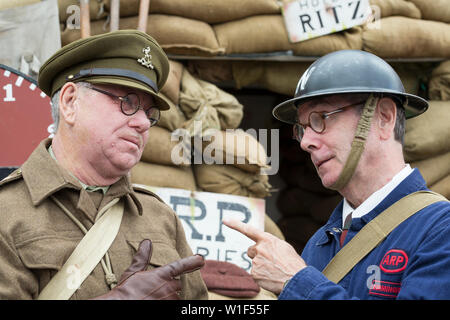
44	177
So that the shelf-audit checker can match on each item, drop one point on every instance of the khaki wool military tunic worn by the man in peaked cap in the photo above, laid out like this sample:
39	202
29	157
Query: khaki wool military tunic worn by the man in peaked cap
37	237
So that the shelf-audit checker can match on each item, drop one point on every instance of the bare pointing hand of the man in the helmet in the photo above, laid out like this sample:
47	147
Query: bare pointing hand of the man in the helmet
274	260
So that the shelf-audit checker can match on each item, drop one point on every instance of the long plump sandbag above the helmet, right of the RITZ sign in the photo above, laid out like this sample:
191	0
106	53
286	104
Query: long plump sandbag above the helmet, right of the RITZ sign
400	37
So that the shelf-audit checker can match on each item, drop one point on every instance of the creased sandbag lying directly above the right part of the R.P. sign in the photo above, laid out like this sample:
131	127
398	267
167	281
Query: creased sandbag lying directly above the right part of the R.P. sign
231	180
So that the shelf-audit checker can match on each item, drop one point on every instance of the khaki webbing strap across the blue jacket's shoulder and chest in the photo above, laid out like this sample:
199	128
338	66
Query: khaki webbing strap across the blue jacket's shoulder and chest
376	231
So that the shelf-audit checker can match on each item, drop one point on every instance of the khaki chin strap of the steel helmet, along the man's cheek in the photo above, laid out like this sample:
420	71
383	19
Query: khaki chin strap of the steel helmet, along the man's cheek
358	144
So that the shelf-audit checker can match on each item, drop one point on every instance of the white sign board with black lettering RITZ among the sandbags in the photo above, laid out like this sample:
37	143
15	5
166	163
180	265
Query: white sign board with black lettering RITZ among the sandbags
307	19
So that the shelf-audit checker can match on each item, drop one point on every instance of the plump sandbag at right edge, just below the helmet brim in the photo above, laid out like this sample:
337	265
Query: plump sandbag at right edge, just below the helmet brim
428	134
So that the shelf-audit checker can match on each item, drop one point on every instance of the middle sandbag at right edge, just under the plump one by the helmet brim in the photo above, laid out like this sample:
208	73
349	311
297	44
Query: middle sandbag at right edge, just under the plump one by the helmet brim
435	168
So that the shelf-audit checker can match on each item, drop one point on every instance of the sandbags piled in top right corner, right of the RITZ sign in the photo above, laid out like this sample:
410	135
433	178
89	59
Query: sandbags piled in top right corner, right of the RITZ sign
418	28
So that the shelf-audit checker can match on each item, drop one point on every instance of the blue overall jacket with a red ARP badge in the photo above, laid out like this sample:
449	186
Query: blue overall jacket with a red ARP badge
413	262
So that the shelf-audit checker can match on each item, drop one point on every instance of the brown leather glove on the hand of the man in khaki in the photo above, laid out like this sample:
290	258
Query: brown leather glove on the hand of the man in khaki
155	284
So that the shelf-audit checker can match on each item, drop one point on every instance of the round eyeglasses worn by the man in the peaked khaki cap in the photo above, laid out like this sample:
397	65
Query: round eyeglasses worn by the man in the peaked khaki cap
130	104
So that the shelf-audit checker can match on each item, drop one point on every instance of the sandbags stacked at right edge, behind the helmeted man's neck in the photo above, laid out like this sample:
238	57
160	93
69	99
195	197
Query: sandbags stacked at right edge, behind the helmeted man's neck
427	145
